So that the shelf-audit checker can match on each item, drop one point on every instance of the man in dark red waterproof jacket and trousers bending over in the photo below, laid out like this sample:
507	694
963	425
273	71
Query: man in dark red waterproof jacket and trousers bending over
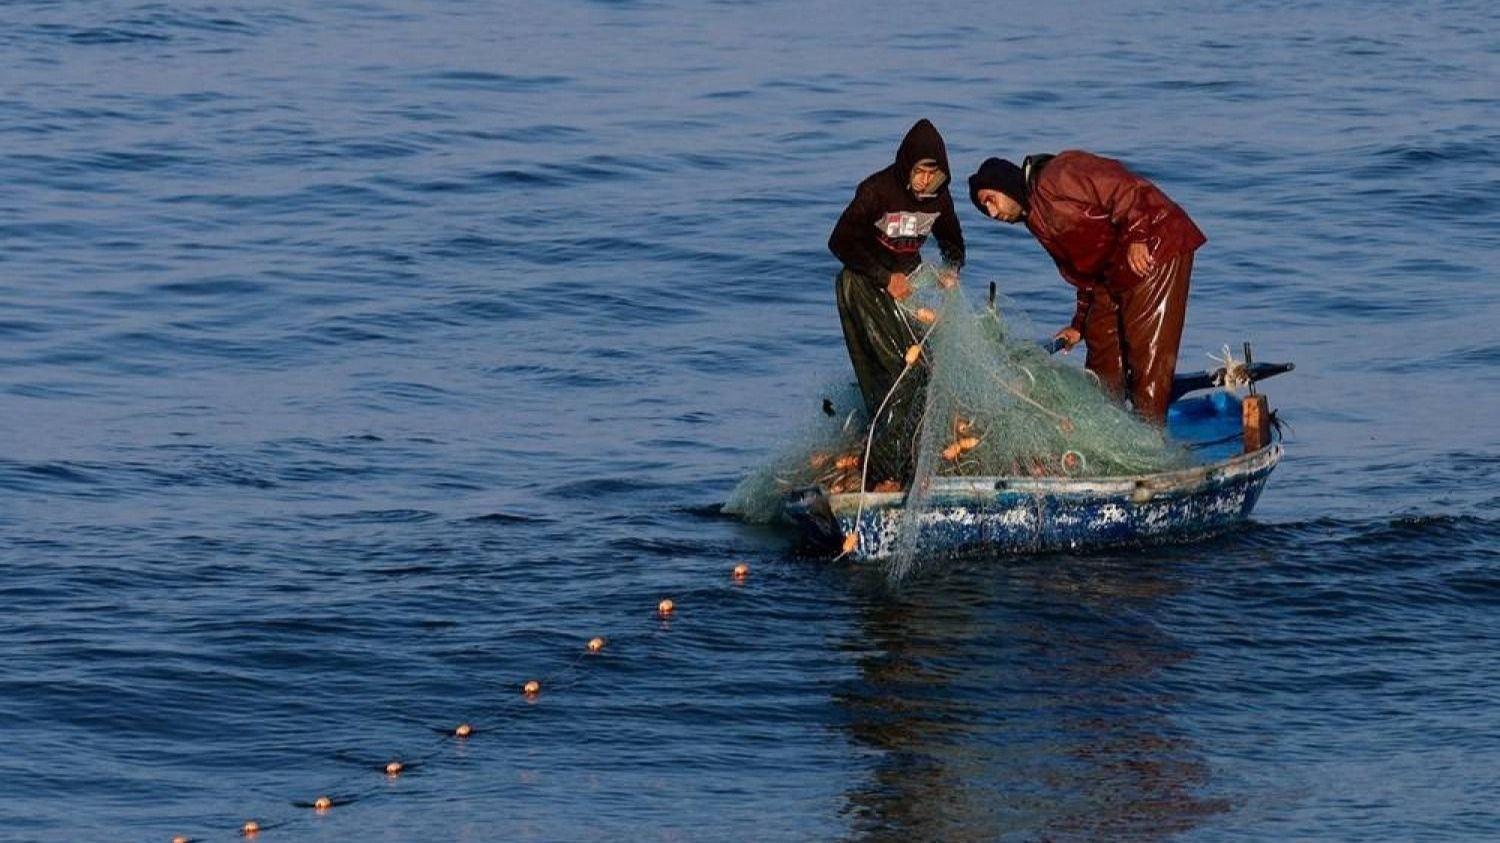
1124	245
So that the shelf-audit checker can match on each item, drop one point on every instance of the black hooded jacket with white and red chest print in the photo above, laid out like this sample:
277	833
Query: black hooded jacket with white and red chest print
886	226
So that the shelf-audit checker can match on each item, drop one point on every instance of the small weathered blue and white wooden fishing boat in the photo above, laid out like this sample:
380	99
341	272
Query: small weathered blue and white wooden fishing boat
1231	436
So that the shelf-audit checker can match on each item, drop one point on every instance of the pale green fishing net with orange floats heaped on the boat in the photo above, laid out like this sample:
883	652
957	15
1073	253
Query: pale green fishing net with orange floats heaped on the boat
995	404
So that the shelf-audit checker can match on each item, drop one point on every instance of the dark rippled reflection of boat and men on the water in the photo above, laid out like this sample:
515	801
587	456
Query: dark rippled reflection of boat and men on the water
1024	701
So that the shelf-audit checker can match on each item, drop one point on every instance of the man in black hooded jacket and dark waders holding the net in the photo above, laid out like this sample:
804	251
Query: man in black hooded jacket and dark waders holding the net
878	239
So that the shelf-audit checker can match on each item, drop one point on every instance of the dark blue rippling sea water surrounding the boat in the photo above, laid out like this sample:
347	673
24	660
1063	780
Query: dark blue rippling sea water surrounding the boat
362	361
